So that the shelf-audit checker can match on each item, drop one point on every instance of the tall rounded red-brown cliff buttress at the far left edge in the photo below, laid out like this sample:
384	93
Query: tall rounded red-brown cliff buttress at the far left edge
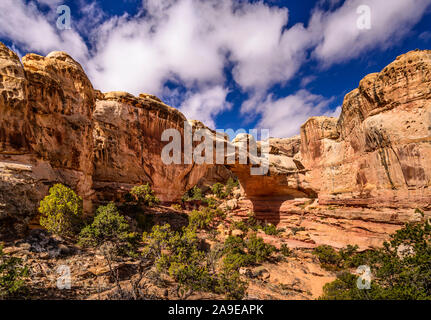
46	130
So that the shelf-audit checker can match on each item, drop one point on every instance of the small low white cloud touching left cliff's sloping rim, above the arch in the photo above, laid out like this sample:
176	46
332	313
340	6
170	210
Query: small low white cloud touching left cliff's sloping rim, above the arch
203	106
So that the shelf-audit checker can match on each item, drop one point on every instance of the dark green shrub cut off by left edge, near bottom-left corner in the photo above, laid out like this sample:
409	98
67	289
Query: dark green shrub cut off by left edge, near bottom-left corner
12	275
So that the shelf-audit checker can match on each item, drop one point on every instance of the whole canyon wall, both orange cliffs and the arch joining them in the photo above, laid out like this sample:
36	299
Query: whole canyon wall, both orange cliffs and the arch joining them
349	180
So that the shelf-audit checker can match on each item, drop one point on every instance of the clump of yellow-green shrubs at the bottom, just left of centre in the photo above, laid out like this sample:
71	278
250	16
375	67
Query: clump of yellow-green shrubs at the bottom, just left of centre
179	254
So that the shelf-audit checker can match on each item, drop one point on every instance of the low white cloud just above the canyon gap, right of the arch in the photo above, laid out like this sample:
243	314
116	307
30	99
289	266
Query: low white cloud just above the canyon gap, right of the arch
284	117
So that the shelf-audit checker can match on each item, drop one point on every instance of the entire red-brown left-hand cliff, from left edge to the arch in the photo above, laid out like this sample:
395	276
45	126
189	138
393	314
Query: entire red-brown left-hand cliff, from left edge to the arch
55	128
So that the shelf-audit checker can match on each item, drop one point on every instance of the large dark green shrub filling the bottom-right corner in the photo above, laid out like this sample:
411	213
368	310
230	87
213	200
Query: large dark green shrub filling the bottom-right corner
401	270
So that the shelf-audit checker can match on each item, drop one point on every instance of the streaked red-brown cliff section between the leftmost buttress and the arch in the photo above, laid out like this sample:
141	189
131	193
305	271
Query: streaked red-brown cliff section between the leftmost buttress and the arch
128	148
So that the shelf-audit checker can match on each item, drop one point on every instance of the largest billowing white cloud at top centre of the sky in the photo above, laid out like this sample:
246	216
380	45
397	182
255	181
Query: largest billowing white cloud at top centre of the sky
191	41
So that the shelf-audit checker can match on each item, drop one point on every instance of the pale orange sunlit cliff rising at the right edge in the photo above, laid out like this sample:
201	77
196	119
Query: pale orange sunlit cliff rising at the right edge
377	154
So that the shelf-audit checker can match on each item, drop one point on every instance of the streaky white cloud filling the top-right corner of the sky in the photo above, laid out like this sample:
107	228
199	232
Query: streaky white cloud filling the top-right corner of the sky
341	39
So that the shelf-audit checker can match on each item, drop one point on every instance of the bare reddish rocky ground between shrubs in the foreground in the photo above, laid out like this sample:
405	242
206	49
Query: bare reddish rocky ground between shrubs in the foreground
298	276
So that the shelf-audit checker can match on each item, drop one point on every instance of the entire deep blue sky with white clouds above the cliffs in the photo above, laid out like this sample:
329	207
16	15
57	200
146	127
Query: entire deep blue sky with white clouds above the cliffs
229	63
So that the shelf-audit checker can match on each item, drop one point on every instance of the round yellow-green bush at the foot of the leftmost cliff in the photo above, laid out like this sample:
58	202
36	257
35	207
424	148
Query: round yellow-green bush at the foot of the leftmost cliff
61	211
